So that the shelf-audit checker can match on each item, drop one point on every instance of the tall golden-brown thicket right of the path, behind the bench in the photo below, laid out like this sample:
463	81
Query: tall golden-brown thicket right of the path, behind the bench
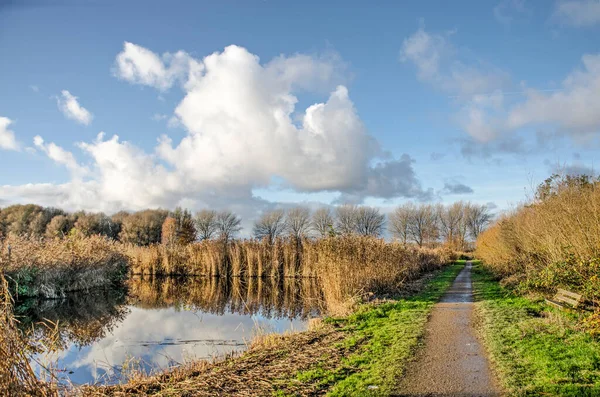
551	242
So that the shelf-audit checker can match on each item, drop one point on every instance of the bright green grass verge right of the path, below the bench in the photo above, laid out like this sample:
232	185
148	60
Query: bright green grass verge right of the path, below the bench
537	350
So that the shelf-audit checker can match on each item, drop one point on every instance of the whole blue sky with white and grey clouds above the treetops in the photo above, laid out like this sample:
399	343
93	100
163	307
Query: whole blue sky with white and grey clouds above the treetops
250	105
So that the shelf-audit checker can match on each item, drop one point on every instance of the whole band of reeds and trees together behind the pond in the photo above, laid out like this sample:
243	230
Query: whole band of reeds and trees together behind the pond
48	252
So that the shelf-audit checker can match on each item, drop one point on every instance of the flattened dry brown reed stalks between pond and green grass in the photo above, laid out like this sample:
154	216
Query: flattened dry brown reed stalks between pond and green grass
262	370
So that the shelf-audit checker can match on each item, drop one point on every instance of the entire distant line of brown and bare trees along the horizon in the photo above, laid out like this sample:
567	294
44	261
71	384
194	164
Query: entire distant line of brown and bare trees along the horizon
420	224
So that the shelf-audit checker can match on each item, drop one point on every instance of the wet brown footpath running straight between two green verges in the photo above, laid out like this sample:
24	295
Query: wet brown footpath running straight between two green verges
453	362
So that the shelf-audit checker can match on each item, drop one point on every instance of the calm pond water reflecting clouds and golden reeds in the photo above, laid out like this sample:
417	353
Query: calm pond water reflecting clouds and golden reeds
158	323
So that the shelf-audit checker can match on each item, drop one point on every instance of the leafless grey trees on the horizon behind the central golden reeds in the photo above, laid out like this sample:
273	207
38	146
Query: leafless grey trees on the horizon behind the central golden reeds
420	224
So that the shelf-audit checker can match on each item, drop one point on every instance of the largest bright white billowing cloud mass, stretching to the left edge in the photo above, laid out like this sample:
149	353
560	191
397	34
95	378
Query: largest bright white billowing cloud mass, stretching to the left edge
243	132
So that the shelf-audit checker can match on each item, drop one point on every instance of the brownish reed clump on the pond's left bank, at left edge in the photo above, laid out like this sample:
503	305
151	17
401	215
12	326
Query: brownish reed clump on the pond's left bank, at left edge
52	267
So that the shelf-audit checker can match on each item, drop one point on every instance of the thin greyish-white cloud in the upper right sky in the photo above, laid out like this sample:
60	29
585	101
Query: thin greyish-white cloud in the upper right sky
487	113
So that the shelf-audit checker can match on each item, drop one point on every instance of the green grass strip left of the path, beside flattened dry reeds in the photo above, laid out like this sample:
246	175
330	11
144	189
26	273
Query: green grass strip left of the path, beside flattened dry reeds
386	335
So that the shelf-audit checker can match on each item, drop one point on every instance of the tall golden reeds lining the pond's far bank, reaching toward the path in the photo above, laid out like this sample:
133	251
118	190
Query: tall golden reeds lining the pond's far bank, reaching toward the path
345	267
